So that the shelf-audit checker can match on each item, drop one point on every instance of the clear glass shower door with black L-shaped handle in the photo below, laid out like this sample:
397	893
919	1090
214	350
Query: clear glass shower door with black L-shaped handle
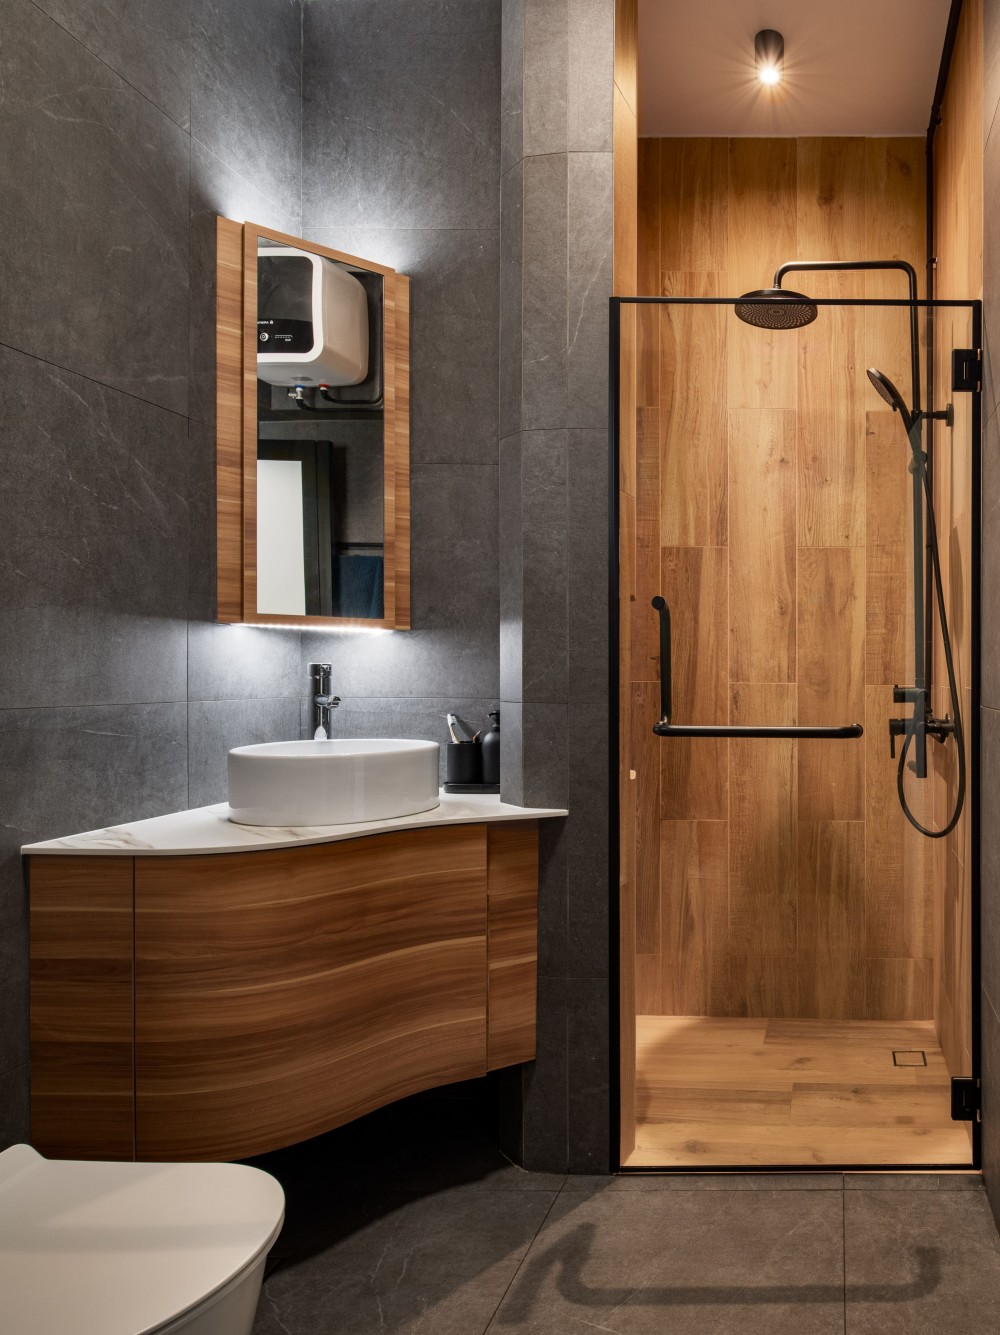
800	951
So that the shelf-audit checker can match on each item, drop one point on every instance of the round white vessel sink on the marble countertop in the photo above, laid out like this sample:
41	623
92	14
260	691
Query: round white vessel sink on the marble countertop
332	783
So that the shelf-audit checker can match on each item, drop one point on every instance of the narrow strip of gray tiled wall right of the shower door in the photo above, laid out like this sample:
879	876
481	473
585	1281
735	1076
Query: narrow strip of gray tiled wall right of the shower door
990	774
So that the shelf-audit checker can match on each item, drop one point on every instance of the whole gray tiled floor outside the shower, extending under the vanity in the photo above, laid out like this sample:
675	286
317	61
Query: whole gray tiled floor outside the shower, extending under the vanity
413	1221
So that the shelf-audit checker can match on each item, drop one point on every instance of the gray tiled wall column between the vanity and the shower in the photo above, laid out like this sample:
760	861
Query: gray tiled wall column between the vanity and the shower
556	278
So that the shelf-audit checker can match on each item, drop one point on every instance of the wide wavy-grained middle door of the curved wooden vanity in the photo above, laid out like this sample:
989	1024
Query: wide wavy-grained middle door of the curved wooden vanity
282	994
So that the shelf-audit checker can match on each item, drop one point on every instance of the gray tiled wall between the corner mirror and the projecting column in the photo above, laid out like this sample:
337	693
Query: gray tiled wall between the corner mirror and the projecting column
401	165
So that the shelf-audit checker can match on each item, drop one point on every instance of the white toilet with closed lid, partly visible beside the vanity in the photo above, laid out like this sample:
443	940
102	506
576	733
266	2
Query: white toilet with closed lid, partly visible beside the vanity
121	1249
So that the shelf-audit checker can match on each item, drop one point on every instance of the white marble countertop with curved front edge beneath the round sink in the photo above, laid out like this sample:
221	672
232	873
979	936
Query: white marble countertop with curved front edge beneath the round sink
209	830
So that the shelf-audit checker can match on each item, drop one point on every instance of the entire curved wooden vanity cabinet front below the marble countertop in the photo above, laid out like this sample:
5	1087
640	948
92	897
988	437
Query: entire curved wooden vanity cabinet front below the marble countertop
221	1006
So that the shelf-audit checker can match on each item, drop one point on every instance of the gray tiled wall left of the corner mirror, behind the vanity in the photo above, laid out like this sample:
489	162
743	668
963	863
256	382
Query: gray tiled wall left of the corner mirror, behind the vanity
125	127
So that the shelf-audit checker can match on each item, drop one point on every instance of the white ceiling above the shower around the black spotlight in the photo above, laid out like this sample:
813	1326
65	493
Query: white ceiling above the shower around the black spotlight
852	67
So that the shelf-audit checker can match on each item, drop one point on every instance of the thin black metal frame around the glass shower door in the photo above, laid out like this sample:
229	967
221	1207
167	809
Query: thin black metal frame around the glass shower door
975	310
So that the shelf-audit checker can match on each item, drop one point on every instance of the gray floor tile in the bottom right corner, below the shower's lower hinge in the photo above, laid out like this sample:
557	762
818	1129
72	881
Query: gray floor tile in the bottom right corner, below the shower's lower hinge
922	1264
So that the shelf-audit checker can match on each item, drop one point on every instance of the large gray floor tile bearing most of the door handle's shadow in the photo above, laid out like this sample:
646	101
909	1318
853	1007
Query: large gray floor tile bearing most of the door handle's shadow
684	1262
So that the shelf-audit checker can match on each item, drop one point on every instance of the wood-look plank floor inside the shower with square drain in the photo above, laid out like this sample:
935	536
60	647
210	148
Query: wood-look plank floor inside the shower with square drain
715	1093
